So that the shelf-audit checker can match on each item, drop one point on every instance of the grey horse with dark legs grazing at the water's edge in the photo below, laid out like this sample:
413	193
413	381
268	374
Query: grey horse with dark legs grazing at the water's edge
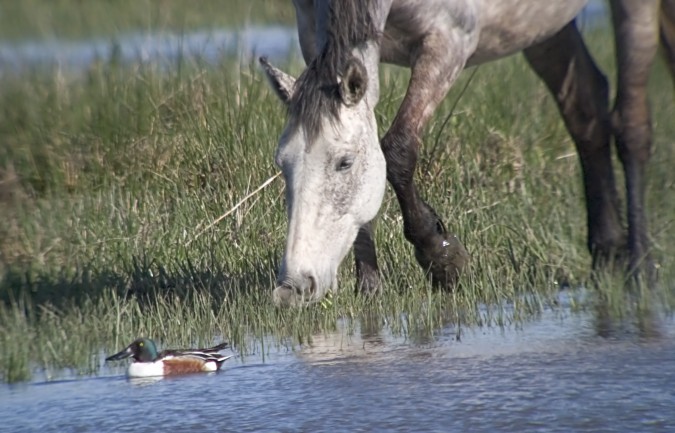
336	167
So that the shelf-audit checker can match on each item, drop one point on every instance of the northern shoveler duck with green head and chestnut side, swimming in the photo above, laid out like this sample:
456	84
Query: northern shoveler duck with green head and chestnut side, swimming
148	362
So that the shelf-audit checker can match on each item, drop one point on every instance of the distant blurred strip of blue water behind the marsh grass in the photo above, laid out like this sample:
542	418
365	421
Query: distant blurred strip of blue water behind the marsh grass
276	42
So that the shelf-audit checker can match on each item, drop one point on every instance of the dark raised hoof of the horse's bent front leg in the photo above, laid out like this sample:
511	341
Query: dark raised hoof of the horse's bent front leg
443	260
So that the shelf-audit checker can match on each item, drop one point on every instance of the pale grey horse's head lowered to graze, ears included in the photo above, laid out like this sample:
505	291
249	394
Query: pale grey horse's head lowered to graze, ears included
334	170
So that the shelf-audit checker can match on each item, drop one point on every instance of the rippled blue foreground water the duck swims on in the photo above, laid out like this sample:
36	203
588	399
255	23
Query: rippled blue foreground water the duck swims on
573	373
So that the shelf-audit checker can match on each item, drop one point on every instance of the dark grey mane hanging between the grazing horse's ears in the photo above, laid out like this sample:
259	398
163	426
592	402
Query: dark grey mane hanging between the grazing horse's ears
349	24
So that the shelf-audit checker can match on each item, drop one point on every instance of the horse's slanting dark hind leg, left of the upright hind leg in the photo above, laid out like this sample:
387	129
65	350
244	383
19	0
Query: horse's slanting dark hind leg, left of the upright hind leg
581	92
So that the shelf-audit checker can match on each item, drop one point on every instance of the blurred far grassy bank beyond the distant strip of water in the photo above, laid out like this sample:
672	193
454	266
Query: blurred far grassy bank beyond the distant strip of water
73	19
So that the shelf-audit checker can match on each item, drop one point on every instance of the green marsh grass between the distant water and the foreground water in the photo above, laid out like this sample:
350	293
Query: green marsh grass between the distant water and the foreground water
108	180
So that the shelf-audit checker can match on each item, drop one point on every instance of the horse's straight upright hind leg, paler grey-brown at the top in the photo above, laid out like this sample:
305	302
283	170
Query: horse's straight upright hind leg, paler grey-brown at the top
636	33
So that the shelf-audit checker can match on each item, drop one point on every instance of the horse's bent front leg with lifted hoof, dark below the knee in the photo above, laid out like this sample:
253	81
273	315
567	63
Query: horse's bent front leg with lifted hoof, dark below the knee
433	72
